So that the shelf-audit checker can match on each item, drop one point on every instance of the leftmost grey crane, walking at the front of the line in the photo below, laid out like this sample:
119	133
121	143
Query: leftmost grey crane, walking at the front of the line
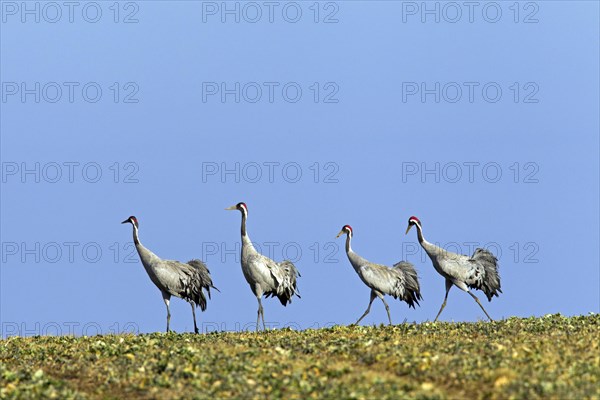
187	281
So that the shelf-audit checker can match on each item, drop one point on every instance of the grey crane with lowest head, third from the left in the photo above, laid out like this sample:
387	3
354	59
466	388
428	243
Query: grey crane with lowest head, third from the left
400	281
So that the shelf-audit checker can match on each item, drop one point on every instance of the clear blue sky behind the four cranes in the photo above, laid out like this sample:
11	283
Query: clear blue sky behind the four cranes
483	124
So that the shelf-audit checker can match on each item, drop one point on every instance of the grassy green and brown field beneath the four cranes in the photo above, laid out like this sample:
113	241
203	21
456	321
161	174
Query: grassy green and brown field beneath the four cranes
549	357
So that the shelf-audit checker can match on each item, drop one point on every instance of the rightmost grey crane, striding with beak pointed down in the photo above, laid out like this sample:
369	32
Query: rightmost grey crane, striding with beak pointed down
480	271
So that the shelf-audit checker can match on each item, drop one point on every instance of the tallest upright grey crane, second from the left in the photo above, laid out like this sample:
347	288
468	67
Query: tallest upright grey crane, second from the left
265	276
